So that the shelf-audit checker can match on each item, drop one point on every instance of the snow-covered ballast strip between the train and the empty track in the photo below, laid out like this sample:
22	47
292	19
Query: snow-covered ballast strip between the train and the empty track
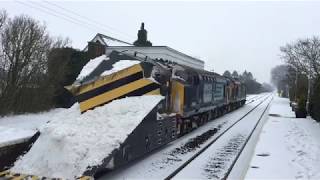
161	162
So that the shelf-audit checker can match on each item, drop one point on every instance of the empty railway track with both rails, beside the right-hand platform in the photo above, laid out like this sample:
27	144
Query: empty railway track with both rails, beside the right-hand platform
217	168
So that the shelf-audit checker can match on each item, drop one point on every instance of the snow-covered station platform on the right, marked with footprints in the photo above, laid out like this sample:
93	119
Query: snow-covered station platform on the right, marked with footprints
288	148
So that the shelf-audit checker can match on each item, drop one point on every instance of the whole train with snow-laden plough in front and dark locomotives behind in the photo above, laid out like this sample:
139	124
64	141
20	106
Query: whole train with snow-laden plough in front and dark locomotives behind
127	106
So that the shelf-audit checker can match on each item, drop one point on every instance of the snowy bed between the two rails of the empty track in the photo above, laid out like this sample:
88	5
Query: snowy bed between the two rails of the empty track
216	161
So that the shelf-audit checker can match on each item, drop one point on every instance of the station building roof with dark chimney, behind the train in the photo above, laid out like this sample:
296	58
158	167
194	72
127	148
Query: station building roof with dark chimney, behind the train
102	44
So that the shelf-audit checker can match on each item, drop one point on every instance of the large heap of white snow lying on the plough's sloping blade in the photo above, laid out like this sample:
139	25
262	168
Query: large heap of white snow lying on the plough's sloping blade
72	141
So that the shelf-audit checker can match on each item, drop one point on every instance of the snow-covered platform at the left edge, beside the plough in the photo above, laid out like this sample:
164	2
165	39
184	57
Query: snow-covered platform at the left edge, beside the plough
18	128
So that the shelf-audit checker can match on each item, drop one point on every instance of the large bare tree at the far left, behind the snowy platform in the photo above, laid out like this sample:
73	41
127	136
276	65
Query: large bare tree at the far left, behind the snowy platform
24	49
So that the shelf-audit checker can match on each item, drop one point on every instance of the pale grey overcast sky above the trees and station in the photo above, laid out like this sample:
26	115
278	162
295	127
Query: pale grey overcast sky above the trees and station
238	35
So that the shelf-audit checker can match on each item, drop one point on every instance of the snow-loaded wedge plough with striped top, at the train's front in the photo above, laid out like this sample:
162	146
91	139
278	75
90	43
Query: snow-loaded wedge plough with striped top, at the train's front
120	100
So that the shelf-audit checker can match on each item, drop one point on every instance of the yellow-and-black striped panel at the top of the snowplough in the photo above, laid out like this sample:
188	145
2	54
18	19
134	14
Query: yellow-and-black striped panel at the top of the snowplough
126	82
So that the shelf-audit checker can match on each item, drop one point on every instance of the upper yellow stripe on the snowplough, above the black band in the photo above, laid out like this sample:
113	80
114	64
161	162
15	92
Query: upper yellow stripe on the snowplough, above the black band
110	78
